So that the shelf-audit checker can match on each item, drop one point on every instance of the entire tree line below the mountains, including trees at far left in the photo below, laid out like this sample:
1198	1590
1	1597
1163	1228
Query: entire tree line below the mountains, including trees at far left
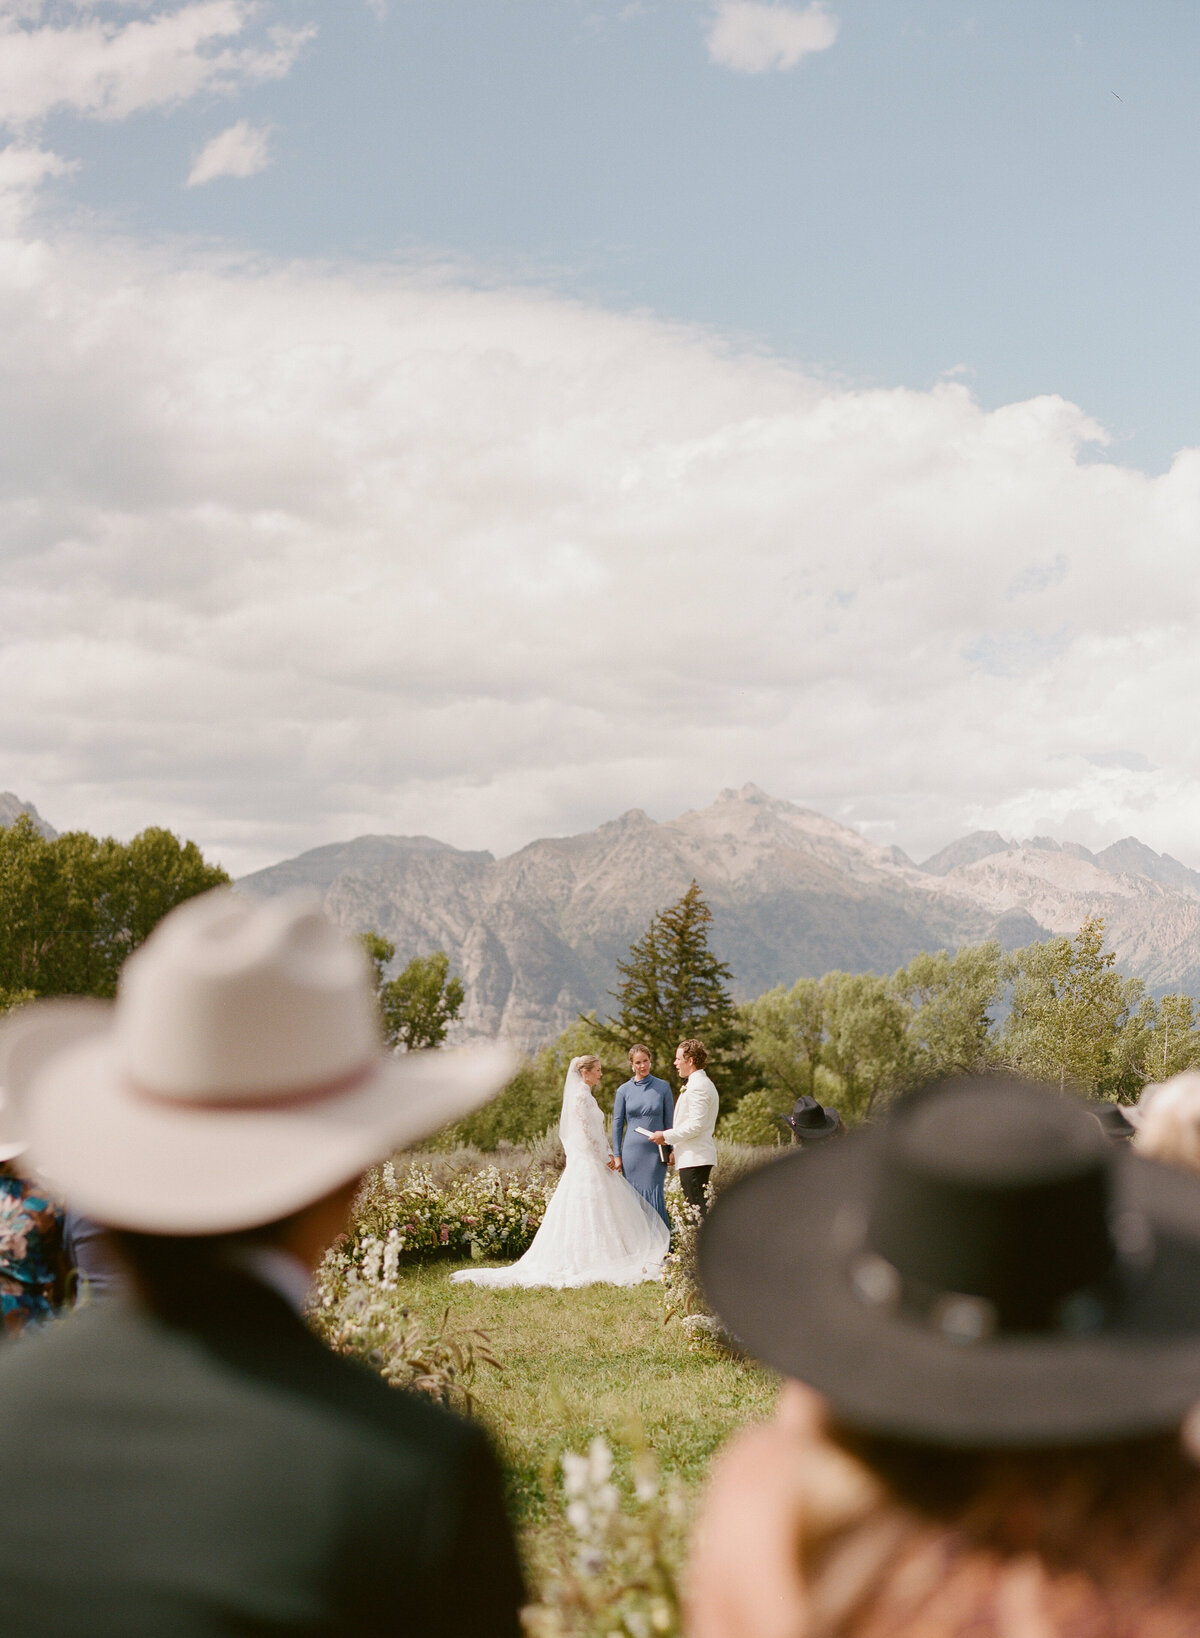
76	907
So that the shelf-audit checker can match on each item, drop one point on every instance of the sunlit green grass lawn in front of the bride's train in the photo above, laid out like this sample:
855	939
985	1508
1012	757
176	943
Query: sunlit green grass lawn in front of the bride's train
577	1364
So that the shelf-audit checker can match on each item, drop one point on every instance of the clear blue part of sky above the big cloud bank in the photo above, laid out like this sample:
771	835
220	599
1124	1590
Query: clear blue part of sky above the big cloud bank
1004	191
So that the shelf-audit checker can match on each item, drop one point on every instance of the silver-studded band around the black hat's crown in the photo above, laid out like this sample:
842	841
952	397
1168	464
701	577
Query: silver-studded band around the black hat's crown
967	1318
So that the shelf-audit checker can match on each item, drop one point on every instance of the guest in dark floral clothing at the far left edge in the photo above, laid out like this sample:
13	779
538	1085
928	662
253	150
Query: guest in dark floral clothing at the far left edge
30	1239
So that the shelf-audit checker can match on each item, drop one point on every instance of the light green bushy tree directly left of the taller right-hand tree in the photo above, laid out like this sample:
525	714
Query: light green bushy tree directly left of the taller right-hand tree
950	1002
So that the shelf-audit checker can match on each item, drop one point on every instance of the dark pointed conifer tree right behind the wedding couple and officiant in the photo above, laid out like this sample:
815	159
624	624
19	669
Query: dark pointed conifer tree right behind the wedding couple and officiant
672	989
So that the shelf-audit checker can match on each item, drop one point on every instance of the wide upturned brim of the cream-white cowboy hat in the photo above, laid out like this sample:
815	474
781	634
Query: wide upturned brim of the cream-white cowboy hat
160	1167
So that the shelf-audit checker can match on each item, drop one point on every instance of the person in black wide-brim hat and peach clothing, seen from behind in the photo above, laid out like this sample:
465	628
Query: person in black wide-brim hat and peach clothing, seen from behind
998	1314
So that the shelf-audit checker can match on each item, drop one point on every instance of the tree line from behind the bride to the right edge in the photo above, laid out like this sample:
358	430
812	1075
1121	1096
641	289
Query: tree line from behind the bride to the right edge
1057	1011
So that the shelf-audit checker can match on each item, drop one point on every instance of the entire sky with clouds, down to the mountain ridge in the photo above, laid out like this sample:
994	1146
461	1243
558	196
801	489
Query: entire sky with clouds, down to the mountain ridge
484	417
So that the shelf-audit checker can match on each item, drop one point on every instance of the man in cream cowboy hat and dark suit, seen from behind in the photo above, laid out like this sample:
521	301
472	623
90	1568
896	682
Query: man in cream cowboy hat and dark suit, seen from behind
192	1460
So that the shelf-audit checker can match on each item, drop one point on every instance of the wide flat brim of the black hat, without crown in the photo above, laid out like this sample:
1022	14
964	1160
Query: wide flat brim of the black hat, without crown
775	1262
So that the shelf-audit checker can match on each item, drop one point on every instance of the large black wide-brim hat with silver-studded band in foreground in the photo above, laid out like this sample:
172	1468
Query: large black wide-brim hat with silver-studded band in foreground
981	1270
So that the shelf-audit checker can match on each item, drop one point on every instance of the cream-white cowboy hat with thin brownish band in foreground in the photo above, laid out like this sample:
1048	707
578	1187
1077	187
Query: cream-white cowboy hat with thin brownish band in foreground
238	1077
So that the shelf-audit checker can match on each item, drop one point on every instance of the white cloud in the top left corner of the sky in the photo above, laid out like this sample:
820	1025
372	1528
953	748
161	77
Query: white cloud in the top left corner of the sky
109	68
